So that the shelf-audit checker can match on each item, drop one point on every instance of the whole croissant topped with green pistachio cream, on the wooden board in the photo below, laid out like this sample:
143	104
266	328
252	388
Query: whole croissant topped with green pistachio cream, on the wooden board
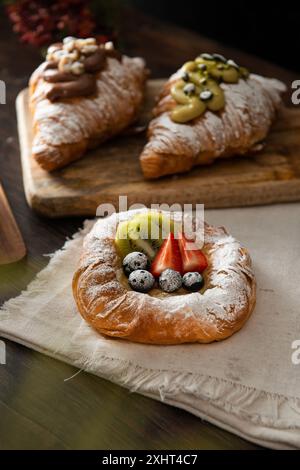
210	108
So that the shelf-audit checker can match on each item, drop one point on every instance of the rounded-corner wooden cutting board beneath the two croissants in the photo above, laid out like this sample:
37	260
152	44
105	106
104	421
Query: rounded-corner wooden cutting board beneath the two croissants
271	176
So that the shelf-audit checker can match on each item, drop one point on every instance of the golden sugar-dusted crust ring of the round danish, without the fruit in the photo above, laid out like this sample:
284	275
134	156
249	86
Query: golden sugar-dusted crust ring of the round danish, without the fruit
105	300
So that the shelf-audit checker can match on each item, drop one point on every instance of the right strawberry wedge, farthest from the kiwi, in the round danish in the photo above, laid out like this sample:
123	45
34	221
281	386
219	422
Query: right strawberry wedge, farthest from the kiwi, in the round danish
193	260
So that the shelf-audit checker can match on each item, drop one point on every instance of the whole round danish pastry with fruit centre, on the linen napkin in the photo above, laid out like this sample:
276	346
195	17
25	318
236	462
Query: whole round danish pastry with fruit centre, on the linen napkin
155	290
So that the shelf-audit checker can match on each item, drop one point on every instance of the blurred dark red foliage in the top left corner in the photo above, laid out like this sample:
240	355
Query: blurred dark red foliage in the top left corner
41	22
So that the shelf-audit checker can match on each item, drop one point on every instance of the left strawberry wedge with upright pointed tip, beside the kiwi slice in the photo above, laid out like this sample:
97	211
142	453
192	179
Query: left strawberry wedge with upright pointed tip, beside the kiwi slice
168	256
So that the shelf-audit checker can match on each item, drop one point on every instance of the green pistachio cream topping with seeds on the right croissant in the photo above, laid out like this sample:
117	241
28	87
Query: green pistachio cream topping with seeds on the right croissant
199	89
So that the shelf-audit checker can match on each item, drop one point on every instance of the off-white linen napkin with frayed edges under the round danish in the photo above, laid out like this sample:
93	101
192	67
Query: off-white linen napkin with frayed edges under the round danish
248	384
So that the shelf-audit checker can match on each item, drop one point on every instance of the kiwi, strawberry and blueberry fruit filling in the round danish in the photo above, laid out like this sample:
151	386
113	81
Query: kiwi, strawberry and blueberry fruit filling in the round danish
156	255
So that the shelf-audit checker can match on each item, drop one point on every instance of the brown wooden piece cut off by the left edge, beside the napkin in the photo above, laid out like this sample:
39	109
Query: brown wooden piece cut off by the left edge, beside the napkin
12	247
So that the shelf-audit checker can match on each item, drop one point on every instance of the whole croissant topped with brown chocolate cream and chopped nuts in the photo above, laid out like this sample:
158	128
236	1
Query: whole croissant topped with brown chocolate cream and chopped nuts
82	95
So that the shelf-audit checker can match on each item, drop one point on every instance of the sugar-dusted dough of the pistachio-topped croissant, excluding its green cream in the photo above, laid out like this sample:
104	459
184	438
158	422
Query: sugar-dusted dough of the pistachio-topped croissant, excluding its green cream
250	109
